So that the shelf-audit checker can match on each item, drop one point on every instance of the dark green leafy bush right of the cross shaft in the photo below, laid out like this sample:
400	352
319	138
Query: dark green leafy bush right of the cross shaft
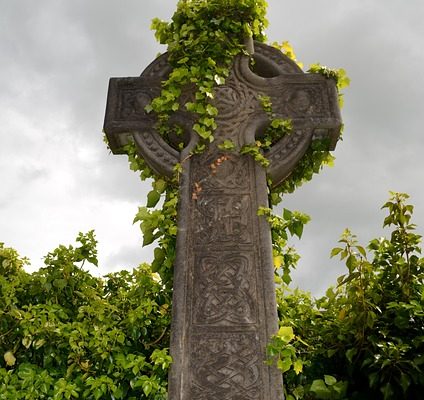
367	333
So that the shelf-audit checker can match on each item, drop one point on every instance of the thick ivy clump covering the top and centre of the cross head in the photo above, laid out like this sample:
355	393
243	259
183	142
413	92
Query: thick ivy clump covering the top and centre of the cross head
203	38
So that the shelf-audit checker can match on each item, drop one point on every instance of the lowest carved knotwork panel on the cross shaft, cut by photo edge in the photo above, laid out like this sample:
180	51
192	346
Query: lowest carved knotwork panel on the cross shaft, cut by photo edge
226	366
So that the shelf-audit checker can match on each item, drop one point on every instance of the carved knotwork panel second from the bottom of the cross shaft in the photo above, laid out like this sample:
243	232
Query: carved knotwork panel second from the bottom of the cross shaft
225	290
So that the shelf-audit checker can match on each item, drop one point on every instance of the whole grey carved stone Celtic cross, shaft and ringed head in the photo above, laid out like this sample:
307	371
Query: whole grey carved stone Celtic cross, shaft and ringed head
224	306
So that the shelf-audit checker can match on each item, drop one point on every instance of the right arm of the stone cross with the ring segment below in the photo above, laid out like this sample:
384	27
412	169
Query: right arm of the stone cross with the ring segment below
310	101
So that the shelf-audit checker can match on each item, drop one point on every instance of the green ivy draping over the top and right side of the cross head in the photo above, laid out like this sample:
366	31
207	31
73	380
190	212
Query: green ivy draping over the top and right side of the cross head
202	40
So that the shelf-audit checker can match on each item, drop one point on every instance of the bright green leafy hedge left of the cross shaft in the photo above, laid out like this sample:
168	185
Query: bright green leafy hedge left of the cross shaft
65	334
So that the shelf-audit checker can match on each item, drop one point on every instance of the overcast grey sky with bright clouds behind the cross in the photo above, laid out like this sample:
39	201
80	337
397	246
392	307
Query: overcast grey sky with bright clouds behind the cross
57	178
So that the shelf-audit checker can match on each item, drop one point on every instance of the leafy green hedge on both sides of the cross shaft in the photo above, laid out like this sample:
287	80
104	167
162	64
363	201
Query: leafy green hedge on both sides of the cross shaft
65	334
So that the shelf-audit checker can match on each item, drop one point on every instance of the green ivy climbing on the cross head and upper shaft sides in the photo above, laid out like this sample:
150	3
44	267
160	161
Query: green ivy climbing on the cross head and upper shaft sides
202	39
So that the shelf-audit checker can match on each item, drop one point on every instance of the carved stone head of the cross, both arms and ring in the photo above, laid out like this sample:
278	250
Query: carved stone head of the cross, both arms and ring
308	100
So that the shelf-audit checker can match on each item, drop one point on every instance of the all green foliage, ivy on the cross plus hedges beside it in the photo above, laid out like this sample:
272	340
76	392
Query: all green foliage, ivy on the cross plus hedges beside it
67	334
